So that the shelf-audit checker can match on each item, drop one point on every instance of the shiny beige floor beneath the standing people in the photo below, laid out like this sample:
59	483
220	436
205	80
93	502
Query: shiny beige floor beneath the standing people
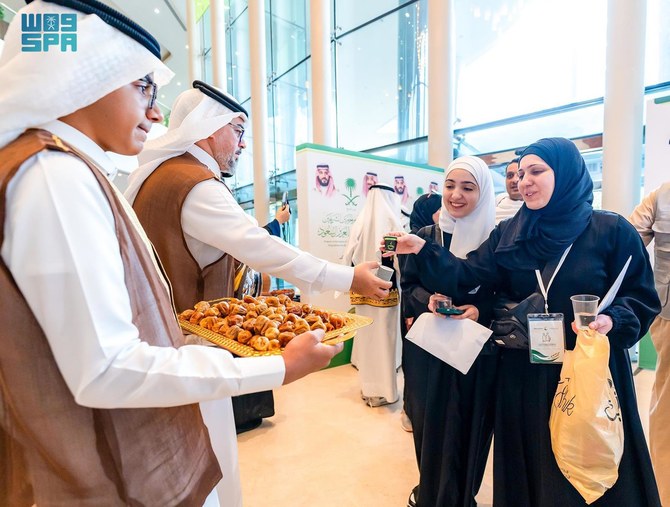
325	448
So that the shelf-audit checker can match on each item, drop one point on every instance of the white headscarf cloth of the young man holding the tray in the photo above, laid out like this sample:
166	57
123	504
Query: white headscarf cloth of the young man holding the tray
38	87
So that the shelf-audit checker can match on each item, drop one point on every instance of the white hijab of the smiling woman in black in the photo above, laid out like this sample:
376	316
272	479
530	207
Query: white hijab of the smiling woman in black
469	232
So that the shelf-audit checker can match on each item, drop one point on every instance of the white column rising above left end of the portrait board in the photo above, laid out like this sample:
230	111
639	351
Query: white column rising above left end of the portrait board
323	111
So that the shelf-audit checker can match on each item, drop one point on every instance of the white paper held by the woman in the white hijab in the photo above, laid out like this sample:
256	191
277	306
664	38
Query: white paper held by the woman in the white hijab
456	342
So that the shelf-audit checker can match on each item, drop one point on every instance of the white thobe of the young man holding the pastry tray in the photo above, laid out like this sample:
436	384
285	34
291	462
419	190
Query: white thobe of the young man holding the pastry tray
62	250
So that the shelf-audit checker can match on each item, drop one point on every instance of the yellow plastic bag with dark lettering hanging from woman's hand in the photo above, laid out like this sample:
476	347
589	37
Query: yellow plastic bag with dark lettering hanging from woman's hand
585	423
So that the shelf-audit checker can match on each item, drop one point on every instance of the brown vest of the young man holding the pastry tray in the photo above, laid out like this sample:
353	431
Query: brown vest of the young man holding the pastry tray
73	455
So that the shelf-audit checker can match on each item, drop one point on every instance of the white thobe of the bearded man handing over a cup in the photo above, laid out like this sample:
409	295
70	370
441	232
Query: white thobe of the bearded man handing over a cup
208	208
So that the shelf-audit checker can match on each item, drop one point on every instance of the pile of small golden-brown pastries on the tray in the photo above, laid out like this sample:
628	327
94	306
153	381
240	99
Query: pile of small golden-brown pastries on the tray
264	323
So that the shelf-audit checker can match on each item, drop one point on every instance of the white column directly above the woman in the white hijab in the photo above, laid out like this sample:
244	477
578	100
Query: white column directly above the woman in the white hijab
441	82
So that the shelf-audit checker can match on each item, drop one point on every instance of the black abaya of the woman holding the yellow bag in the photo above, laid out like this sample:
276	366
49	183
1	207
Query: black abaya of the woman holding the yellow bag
525	470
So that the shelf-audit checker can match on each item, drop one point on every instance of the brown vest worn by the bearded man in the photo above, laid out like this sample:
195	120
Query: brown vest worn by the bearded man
158	206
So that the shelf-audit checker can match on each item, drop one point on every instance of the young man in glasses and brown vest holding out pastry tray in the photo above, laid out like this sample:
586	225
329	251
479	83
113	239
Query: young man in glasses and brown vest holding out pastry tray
99	393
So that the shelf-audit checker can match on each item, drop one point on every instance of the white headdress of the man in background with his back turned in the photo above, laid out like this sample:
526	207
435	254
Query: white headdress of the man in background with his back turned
380	214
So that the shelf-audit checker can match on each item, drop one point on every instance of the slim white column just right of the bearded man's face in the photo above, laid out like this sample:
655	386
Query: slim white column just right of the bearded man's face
259	107
